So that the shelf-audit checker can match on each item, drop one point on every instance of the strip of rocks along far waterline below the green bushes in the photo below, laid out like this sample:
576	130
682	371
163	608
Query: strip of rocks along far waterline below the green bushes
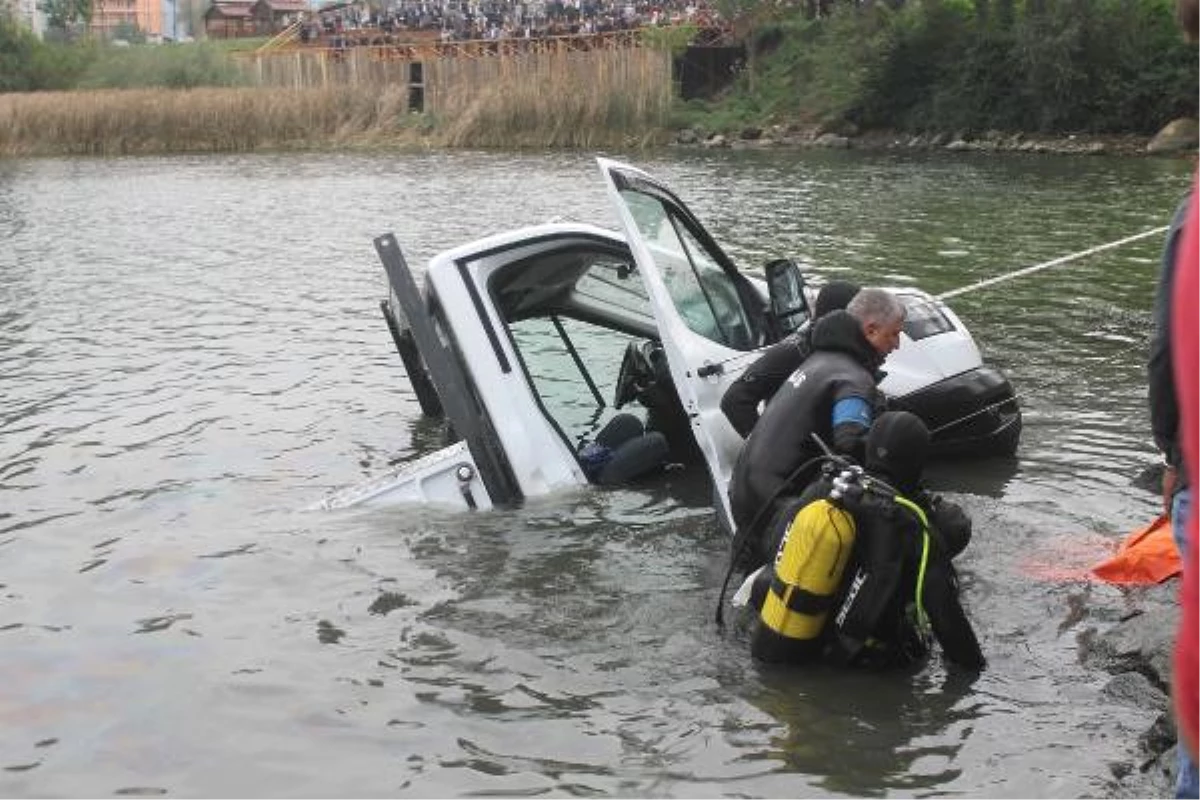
1180	137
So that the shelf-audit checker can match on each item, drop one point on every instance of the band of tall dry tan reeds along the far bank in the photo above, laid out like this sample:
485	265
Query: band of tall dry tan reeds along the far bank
573	100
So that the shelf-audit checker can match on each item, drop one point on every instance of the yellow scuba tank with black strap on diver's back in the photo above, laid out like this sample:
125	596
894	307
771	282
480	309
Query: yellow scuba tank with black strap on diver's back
808	572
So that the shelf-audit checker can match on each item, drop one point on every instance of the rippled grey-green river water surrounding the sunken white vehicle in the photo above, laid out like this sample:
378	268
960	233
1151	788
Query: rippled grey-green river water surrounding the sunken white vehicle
191	353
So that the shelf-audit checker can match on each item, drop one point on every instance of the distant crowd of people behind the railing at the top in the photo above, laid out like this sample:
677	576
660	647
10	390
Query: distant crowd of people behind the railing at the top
355	25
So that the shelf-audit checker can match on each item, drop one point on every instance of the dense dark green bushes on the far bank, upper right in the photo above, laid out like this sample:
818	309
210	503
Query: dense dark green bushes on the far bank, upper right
1101	67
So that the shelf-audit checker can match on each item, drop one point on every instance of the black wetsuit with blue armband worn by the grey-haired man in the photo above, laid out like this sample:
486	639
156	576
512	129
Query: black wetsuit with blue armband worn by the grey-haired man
833	395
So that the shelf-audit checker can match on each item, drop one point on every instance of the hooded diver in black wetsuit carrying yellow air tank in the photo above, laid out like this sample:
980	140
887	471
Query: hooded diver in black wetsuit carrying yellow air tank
899	585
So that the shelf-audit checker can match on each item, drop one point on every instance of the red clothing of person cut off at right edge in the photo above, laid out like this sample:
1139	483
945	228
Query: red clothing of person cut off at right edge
1186	356
